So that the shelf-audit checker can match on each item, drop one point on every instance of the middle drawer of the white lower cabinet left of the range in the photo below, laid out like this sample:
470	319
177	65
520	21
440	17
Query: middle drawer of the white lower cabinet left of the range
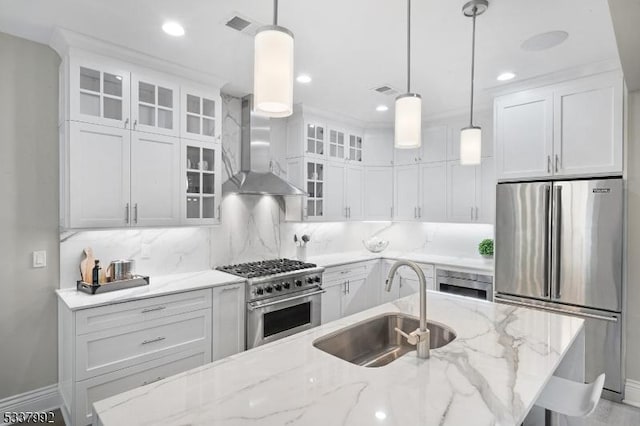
110	350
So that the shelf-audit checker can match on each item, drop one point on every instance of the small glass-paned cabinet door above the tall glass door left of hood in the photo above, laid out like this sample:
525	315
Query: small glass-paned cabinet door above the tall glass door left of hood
200	114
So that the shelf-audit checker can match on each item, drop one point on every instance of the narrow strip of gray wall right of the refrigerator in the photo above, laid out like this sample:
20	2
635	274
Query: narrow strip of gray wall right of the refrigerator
633	240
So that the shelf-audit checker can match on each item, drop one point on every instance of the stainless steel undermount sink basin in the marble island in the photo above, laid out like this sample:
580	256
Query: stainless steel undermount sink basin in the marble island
374	342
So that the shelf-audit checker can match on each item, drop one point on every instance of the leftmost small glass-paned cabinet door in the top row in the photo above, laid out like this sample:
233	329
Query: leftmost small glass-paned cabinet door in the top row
98	93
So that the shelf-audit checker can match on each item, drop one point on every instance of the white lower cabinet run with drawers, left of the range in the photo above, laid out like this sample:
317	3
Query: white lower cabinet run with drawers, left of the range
110	349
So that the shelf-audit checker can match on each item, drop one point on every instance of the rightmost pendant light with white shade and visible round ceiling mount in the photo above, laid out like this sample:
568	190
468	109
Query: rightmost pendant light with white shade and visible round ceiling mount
471	137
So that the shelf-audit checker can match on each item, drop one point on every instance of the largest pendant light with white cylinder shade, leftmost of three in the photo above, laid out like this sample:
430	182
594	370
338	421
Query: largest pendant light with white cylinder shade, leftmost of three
273	69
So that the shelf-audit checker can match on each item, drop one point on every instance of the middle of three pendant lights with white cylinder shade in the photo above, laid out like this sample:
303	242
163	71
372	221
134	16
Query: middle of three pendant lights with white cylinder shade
408	120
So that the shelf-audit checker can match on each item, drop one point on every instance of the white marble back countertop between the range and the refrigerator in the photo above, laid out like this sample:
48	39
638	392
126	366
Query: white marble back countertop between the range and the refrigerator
462	262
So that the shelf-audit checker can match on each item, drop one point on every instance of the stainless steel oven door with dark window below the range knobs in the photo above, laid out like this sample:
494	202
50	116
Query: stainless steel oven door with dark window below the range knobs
275	318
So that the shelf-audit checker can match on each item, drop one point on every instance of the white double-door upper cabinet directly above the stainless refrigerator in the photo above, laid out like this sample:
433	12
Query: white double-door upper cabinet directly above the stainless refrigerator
566	130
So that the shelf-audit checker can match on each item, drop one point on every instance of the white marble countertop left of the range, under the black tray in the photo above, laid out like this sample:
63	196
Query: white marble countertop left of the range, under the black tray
158	286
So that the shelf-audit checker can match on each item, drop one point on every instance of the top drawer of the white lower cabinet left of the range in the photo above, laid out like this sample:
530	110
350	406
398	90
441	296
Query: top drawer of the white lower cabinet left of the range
140	311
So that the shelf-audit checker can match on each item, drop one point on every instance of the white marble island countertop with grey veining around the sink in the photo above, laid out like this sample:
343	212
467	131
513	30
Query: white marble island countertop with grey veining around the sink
492	373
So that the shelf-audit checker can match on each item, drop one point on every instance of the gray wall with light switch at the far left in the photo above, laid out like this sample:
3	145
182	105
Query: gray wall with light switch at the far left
28	214
